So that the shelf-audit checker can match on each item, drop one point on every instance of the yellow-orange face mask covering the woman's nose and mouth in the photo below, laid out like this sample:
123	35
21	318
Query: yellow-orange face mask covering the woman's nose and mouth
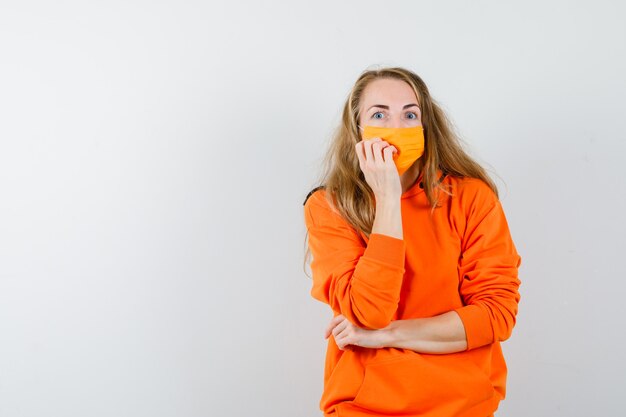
409	141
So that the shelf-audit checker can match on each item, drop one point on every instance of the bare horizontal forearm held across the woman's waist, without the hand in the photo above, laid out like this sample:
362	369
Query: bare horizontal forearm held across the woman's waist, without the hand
444	333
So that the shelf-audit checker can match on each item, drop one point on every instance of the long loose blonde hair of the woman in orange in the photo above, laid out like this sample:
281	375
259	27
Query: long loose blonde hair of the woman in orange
344	182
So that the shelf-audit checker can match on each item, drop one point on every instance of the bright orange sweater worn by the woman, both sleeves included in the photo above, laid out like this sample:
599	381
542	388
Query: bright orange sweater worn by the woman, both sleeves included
461	258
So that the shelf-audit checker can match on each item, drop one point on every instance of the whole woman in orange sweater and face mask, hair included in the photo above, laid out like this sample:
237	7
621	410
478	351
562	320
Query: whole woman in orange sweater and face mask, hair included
412	252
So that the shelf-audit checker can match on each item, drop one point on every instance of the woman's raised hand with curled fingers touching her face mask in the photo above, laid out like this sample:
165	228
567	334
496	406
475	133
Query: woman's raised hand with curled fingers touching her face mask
376	161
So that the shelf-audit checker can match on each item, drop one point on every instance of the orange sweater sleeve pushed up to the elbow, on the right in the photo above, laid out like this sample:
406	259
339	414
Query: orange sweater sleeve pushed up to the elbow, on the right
488	271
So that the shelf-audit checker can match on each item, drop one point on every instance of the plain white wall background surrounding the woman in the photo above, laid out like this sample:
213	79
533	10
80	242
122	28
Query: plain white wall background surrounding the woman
154	157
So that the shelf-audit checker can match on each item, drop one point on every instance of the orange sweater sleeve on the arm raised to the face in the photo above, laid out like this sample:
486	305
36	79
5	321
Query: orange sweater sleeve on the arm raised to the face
360	281
